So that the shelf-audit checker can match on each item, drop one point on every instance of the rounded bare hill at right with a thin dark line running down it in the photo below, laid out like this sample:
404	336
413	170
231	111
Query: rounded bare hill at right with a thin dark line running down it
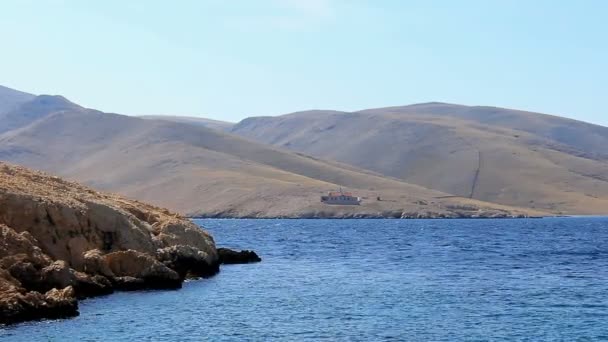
495	155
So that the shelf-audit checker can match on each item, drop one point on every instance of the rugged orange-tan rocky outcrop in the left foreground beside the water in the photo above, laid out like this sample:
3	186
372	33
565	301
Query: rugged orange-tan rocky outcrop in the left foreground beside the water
61	241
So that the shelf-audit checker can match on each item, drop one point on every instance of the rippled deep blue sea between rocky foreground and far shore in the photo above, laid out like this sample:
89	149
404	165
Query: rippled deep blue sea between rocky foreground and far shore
372	280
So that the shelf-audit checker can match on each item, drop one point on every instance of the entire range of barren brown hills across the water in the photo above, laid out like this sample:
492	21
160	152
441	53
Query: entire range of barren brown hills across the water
391	152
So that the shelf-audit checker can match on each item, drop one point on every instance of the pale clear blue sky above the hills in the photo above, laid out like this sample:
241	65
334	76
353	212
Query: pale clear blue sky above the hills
232	59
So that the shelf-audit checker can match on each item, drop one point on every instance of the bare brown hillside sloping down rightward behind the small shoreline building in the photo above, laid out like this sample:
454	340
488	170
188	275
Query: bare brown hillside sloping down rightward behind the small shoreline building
197	170
